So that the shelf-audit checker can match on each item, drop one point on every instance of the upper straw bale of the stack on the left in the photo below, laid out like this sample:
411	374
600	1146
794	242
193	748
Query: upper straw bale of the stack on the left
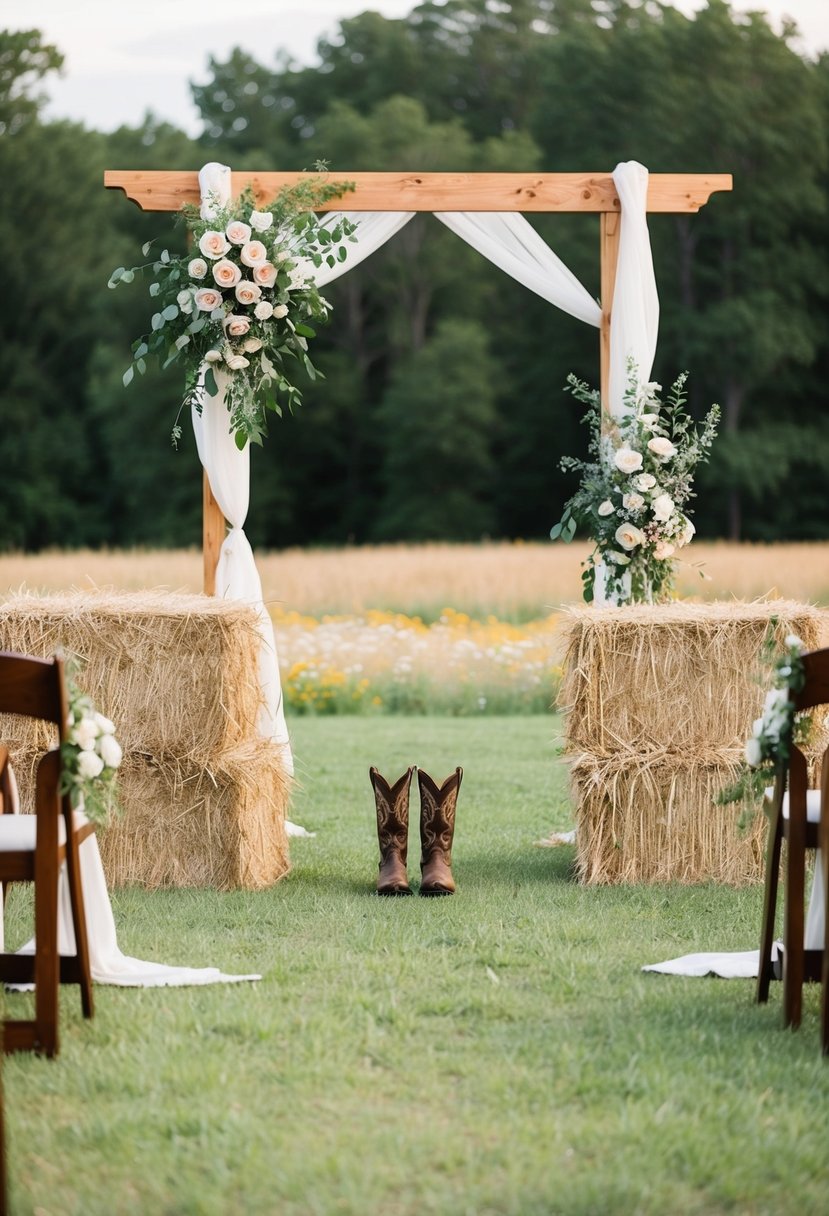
177	673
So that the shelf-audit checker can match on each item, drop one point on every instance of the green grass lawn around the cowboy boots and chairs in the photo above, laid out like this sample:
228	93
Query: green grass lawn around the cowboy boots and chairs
499	1052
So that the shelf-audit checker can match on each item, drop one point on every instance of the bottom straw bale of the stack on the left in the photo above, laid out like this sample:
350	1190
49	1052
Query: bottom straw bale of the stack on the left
183	826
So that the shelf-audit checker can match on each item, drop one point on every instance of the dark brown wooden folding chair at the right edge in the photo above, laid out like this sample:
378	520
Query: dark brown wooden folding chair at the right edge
796	817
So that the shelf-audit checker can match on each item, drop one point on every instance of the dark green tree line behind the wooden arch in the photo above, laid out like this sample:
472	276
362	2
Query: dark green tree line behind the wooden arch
443	413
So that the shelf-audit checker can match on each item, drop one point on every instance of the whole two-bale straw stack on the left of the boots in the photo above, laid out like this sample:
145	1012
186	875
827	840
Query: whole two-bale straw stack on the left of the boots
204	795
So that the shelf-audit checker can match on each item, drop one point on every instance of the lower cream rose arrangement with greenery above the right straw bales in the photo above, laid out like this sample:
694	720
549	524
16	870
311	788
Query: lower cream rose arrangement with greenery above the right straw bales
635	488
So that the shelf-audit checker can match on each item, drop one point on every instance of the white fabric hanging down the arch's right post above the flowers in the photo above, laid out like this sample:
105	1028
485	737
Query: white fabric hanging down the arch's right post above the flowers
635	312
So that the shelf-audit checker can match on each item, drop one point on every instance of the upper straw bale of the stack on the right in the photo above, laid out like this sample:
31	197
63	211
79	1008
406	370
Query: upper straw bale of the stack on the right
679	678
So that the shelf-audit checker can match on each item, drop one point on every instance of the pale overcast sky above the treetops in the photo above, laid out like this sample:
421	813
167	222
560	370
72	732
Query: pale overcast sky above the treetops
125	58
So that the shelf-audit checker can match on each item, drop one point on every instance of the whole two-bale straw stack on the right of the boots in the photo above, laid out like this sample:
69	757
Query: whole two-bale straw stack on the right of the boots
659	702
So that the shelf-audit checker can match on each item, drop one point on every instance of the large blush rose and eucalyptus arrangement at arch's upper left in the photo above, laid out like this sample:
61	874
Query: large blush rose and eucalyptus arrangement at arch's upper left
240	307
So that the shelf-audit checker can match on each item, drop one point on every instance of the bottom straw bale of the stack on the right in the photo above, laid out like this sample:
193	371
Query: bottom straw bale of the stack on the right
655	821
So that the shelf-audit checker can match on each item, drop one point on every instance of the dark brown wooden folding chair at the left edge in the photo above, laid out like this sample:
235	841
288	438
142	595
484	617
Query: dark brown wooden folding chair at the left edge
32	849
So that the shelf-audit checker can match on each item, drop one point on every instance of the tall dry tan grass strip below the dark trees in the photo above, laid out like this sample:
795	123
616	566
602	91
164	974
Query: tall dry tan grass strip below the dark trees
514	582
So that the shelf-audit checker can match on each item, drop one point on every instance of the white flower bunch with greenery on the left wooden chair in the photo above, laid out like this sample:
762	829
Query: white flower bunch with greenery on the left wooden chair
91	758
